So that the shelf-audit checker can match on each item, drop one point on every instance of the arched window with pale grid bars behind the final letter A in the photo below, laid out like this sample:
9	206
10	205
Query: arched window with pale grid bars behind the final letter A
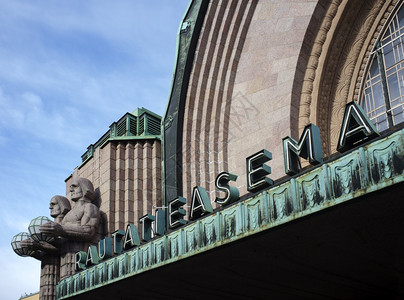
383	87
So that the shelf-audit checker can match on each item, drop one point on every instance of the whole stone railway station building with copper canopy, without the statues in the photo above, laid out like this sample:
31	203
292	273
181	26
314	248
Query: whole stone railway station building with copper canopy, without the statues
276	171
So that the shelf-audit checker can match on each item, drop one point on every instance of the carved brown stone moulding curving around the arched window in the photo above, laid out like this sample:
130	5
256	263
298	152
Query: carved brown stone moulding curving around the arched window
340	47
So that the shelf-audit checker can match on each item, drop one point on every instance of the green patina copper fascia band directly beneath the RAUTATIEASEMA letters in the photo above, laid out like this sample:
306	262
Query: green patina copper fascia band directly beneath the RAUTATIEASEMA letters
373	167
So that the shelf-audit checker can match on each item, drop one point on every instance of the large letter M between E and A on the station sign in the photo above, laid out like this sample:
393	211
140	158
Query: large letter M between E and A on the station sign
309	147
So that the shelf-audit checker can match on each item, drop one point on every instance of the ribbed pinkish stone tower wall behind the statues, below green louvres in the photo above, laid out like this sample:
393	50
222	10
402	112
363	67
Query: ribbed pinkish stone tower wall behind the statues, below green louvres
127	181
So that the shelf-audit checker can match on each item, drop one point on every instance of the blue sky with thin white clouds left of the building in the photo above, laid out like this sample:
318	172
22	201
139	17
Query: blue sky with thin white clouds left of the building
68	69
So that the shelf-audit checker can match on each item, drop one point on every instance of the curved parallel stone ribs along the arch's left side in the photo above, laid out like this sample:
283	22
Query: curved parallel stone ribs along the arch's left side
210	90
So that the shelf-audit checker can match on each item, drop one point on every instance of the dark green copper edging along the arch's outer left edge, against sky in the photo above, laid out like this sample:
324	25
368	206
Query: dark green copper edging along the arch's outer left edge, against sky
172	125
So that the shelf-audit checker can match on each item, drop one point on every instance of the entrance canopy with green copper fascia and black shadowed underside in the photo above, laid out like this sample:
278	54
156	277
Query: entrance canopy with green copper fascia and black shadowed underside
334	231
